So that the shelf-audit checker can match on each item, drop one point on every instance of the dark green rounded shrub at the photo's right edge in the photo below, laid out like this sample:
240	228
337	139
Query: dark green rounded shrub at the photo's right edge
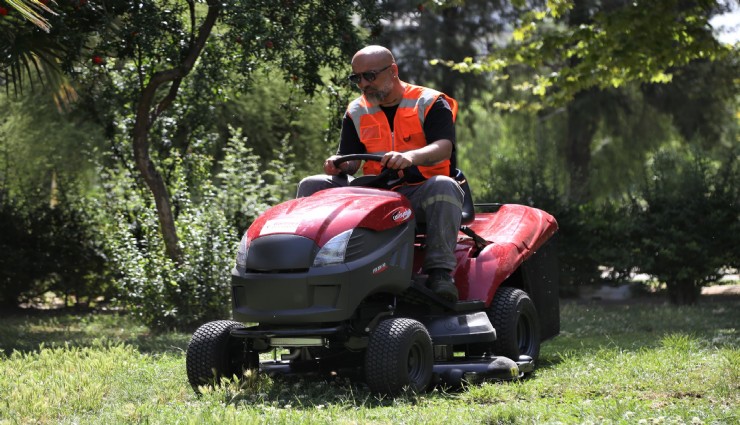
688	228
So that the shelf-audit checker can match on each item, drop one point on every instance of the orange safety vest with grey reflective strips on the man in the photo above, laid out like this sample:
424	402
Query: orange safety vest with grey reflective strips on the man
408	127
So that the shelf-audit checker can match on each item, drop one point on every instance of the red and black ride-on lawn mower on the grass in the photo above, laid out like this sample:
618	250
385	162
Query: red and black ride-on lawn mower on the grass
333	283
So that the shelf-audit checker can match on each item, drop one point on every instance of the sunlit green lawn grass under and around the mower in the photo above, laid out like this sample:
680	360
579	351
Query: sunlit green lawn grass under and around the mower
613	363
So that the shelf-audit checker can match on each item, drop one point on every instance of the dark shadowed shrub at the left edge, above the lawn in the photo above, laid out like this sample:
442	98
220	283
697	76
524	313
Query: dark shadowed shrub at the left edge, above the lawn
49	249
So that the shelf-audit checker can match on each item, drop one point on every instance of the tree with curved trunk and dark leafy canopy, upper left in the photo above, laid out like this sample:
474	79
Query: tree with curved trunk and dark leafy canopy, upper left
145	52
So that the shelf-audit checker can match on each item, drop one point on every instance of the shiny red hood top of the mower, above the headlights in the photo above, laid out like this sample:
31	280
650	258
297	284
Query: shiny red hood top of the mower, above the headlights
330	212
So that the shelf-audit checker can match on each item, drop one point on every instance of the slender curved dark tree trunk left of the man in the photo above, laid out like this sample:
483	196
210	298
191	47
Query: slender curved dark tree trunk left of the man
146	114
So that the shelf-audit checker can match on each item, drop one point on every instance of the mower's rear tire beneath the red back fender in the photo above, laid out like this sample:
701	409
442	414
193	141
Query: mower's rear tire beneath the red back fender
514	316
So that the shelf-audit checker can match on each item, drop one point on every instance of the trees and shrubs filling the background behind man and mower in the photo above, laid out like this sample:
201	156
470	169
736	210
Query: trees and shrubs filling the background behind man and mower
129	170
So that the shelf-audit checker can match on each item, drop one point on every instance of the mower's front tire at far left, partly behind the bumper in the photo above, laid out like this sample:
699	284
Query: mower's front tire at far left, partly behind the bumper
212	354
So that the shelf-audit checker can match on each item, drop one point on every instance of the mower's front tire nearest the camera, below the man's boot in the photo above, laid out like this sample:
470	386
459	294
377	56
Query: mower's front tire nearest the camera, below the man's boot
399	356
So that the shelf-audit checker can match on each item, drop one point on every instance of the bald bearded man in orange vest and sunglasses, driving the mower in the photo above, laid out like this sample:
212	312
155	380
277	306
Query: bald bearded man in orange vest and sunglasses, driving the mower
413	128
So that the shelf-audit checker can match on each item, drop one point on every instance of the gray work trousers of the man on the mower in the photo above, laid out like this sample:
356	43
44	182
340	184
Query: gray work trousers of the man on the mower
437	202
